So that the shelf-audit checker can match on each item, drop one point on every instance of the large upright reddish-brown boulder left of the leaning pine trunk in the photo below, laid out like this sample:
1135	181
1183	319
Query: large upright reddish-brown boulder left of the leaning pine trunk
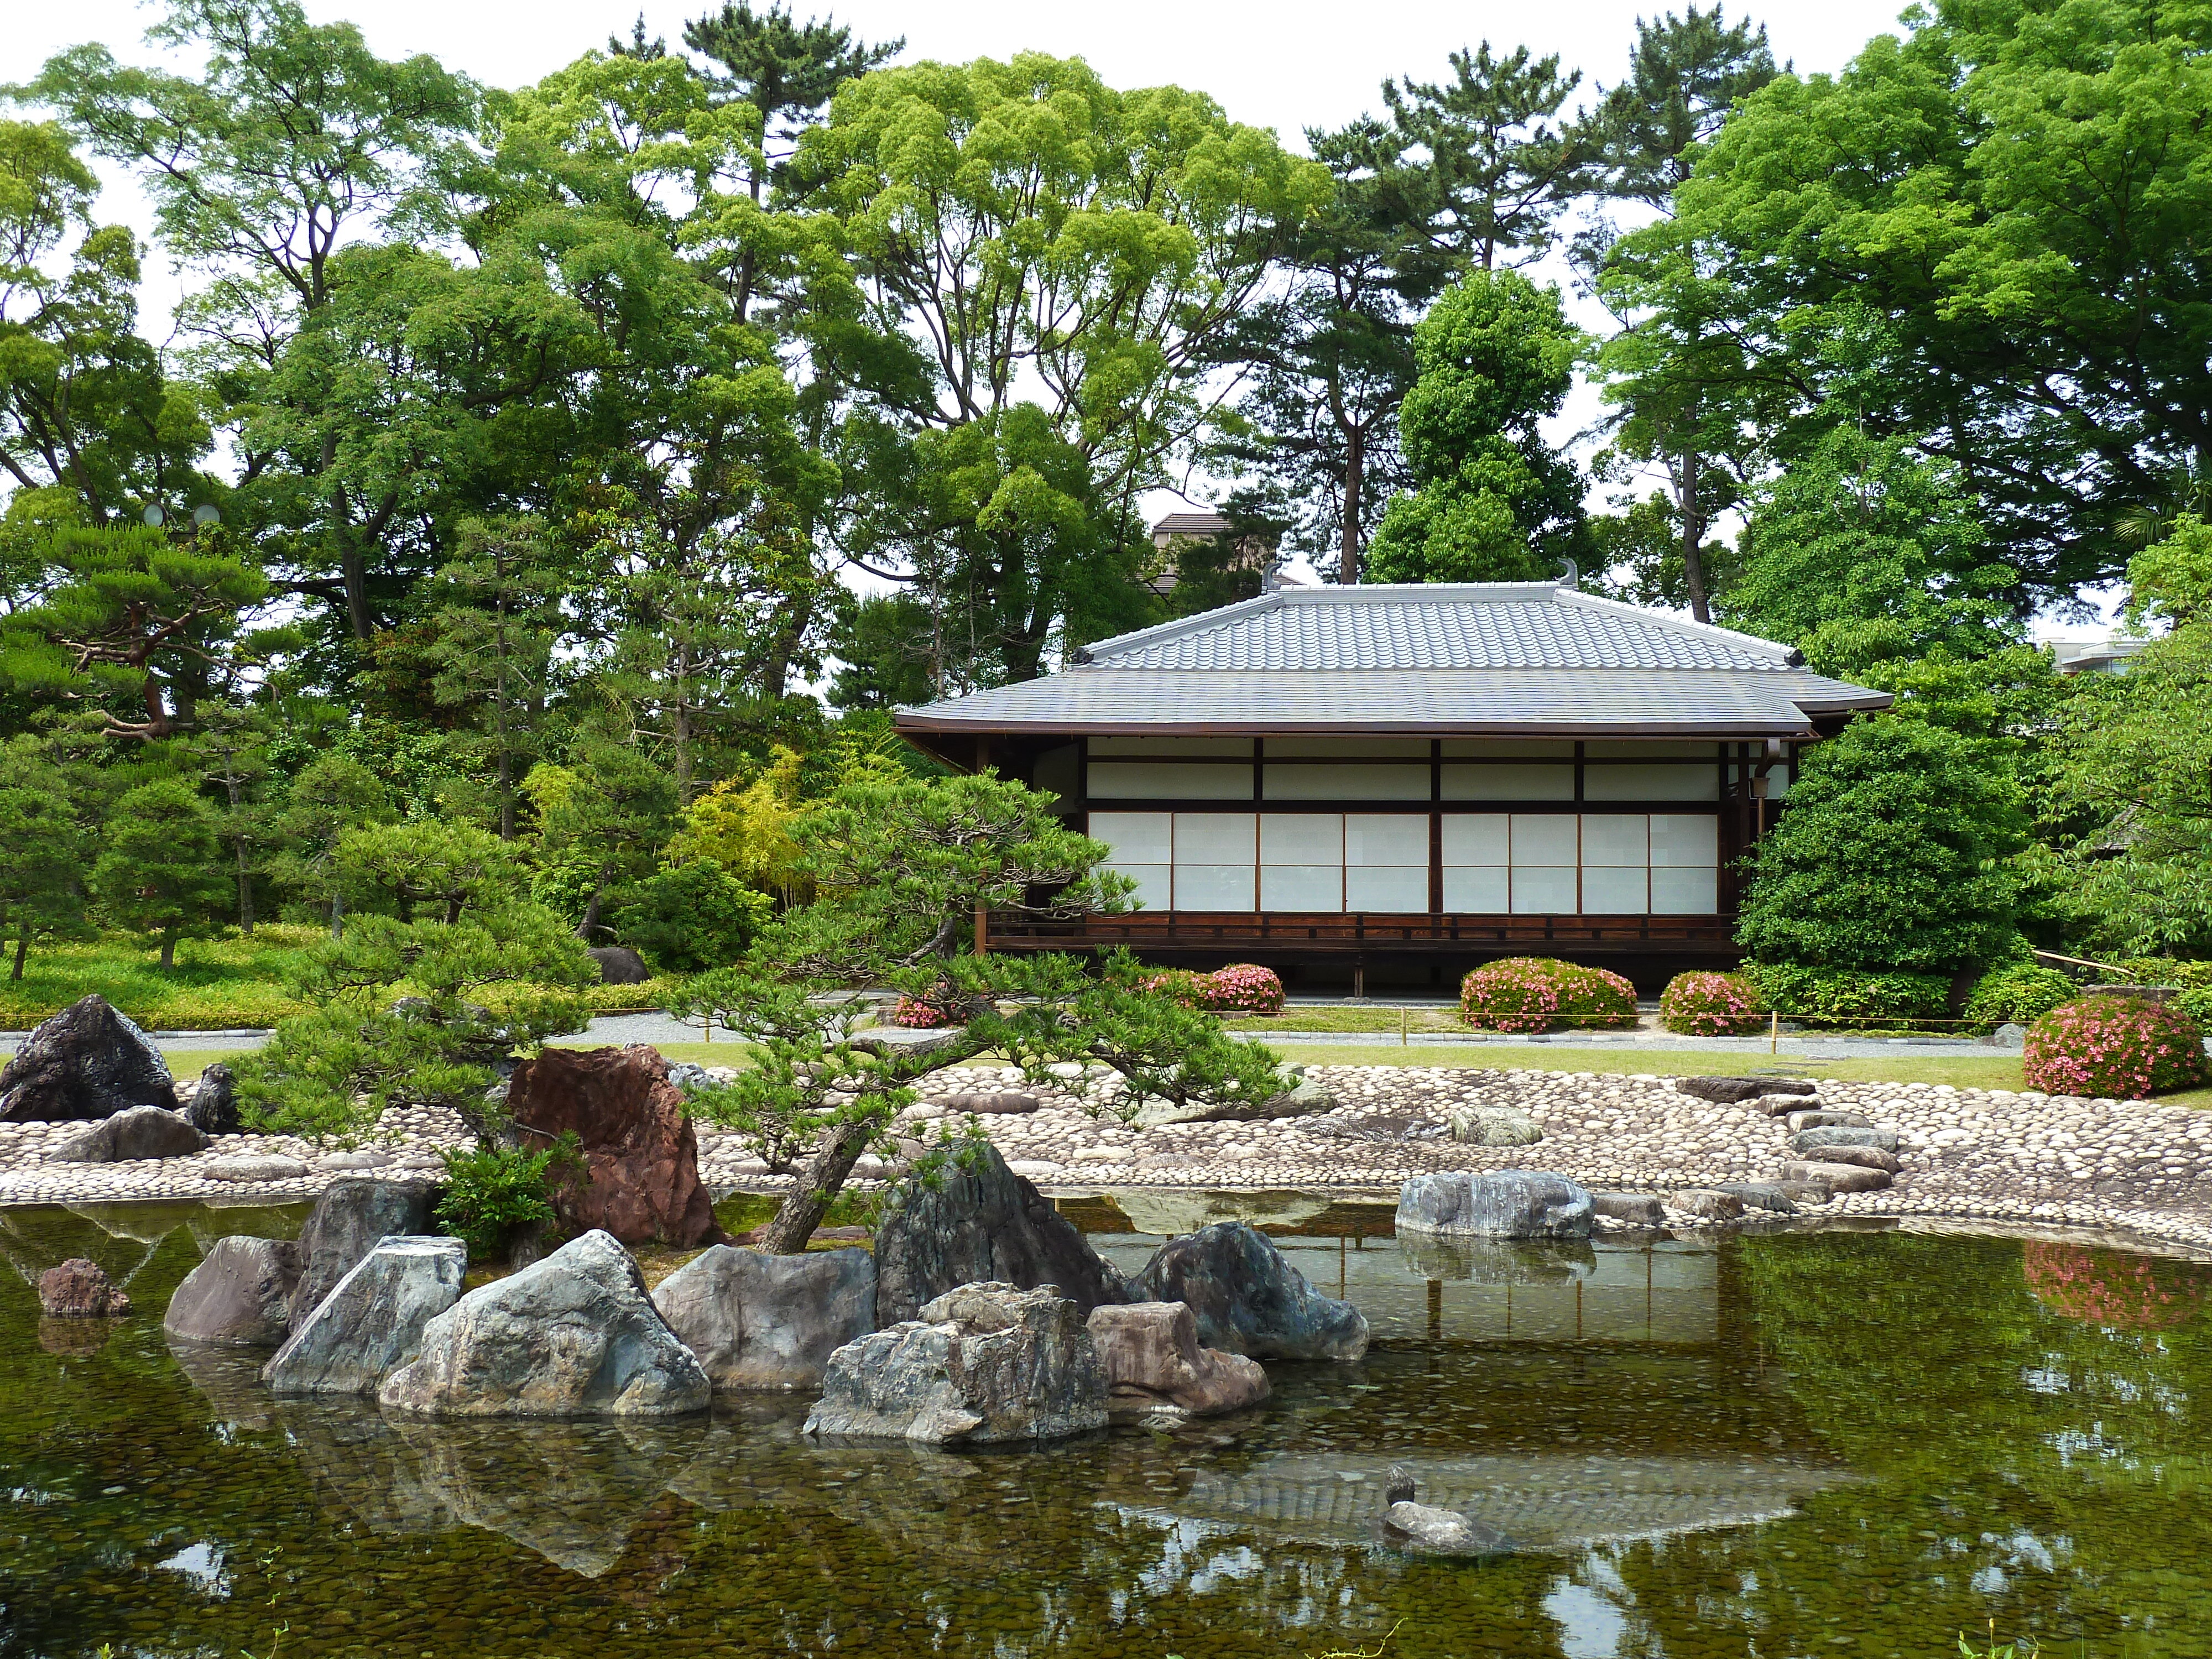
643	1160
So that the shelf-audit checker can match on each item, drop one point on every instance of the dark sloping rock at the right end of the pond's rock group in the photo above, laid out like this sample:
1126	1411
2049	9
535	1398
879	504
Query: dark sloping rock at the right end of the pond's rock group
1249	1300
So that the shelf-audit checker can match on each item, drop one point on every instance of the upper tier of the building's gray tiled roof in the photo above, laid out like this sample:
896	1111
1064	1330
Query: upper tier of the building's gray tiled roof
1507	625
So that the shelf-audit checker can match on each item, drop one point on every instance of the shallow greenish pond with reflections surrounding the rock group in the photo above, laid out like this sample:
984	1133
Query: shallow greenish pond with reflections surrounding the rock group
1786	1443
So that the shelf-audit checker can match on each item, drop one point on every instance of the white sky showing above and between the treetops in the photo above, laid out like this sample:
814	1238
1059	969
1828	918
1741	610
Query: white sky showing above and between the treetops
1288	65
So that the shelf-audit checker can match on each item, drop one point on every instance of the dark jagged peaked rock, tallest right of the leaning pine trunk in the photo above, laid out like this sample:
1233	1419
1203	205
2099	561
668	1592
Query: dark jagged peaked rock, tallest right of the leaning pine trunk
983	1224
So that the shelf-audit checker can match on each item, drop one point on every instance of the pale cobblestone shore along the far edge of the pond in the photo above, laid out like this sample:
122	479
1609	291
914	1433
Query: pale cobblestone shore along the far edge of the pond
1968	1154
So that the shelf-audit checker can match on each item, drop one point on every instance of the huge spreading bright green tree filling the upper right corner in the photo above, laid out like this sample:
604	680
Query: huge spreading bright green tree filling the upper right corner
2014	196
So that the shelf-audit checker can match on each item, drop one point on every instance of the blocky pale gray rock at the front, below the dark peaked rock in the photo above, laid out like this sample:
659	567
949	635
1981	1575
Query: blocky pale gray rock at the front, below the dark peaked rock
981	1364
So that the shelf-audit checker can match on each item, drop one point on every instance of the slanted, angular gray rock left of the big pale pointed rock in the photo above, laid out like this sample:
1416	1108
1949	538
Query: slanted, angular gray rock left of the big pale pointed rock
373	1322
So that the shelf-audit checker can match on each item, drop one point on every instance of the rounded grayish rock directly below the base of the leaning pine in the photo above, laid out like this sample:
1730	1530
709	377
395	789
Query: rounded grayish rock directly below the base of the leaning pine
764	1322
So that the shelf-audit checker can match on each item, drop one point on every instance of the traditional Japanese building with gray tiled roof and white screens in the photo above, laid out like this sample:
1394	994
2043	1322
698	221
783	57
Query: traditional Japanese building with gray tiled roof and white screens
1412	778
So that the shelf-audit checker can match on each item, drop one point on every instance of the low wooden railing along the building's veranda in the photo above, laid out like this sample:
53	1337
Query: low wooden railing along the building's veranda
1366	932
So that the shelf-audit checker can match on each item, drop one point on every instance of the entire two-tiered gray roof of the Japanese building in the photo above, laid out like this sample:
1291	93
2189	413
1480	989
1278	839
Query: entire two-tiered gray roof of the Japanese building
1505	660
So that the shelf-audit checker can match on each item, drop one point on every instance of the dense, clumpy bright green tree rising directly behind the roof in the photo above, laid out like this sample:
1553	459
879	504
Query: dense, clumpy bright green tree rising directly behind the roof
1494	501
